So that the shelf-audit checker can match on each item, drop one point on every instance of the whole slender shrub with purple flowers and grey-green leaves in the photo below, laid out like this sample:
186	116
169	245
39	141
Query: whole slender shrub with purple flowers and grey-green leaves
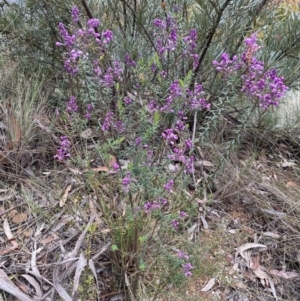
140	108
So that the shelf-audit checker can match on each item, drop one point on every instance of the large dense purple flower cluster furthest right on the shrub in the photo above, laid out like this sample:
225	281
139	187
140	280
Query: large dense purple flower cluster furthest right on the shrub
265	87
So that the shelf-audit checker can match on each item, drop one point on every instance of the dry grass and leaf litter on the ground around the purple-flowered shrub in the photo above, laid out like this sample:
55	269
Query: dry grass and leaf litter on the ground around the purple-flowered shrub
255	200
